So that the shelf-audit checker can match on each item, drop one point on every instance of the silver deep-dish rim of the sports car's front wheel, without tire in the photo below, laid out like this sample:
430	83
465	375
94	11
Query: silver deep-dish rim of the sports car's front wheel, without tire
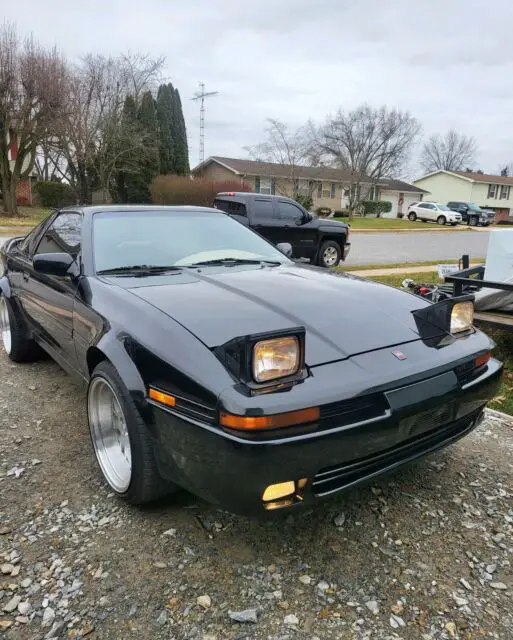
109	433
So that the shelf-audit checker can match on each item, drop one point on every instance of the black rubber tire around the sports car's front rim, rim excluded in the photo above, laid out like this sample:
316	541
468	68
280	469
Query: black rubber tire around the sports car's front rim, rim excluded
146	484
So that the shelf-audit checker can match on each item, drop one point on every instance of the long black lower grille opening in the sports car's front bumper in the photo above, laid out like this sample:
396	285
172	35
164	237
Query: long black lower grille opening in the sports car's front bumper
333	479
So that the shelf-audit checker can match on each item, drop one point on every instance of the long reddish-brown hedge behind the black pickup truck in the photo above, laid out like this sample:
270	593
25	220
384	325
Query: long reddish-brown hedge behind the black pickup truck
182	190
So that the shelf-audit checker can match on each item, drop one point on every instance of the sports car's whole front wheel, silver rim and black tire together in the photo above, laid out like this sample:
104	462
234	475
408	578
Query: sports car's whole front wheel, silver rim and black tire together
121	441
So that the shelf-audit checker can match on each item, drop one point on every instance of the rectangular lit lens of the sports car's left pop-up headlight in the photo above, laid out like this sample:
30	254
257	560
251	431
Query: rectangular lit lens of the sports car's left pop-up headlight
275	358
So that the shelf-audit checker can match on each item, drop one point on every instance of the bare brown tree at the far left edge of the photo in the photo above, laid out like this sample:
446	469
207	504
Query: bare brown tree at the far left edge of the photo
33	87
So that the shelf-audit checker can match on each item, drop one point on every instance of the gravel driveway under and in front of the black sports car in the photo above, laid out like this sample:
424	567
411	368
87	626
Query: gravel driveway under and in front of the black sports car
423	554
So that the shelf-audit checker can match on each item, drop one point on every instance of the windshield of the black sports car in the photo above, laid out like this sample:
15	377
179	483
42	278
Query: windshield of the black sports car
174	239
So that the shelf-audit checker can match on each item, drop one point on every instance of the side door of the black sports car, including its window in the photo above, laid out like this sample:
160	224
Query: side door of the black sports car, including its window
48	300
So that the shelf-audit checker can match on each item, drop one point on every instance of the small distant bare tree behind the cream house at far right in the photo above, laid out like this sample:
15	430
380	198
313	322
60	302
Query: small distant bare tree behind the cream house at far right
452	152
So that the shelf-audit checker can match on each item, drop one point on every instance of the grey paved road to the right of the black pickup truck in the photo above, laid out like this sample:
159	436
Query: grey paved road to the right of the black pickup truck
386	248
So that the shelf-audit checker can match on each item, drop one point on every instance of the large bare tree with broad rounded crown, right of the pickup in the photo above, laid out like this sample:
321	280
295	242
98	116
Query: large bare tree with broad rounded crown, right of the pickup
367	144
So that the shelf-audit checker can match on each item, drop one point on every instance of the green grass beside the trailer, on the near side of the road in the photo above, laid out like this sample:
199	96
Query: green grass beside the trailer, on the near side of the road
503	401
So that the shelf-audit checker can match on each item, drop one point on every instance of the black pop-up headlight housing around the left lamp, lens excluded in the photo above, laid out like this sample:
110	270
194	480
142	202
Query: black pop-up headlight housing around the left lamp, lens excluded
237	356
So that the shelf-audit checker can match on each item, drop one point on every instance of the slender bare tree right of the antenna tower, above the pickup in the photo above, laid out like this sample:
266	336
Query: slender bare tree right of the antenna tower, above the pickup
290	149
